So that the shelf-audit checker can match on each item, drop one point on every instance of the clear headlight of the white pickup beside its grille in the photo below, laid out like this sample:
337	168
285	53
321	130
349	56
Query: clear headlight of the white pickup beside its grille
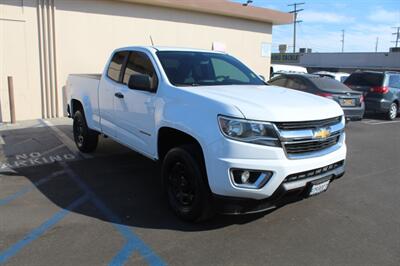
249	131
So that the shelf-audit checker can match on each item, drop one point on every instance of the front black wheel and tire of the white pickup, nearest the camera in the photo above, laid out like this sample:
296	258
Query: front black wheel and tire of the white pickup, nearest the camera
184	179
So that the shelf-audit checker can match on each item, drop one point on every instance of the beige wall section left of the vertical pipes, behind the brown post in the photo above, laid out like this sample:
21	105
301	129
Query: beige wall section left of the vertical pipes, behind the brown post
19	58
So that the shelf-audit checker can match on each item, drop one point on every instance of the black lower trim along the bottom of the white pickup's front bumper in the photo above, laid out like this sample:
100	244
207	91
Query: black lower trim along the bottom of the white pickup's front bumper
283	195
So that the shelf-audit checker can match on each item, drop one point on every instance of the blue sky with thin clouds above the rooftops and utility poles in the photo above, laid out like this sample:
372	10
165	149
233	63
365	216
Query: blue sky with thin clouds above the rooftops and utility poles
323	22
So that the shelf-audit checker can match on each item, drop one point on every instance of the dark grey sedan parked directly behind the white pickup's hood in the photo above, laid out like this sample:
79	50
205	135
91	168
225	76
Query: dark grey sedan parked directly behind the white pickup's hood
352	102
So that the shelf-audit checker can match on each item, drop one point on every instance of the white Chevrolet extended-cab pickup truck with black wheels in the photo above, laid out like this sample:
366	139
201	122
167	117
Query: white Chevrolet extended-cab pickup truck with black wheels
227	141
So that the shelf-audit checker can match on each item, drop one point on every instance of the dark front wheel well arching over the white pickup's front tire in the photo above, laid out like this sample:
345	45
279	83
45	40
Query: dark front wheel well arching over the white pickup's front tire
169	138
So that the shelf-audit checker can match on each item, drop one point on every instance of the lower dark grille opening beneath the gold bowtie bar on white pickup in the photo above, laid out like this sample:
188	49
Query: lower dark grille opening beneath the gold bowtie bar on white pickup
310	146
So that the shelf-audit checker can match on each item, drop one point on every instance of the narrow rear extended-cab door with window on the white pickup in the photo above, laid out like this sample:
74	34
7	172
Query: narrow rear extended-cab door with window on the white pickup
111	78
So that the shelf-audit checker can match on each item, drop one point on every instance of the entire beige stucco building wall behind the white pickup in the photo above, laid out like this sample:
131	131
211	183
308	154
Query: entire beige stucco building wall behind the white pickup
87	31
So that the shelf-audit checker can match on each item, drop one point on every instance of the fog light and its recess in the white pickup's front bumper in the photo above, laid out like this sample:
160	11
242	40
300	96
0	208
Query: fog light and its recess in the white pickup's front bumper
250	178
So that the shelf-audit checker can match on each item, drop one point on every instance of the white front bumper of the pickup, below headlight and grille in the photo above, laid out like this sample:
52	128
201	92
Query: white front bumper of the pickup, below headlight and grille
225	154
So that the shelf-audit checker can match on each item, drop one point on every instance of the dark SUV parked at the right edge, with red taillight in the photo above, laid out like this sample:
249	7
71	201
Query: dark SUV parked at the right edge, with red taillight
381	91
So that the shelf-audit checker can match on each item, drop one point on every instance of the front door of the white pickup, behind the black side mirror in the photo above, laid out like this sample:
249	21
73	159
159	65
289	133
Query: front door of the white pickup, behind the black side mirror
134	108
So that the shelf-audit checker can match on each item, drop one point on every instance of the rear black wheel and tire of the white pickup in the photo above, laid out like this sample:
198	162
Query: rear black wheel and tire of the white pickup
85	139
